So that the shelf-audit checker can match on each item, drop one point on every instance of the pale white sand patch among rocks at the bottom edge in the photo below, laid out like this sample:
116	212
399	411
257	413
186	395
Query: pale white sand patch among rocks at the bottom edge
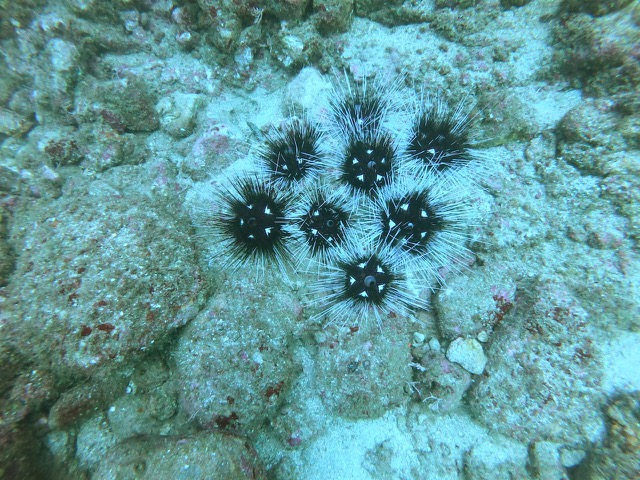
427	446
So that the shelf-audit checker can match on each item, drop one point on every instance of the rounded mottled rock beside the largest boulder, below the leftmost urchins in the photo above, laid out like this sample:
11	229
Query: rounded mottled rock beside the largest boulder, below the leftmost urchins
233	361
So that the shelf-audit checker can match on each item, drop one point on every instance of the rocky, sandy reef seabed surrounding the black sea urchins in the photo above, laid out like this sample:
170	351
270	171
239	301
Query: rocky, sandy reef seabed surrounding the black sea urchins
128	350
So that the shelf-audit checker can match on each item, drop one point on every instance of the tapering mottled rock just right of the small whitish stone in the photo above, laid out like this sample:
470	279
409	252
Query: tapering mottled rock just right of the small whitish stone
546	346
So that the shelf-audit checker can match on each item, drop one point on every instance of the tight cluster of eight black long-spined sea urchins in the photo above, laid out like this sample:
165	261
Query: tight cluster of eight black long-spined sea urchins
372	204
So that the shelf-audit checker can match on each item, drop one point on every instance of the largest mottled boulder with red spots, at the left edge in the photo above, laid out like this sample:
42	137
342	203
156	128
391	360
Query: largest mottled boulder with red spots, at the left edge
101	276
